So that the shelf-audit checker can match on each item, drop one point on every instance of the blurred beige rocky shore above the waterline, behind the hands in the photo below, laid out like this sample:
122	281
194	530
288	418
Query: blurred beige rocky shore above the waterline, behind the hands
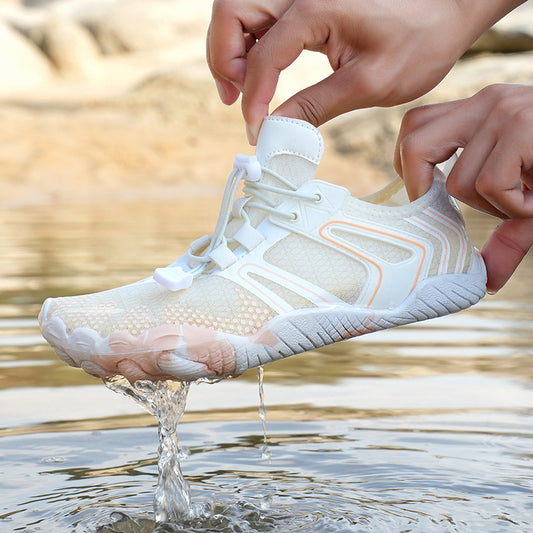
113	99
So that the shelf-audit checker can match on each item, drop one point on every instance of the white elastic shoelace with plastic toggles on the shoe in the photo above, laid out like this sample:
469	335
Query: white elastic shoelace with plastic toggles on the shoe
216	249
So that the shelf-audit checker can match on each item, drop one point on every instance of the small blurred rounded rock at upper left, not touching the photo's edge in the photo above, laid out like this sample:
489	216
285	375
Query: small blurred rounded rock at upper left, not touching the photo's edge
69	46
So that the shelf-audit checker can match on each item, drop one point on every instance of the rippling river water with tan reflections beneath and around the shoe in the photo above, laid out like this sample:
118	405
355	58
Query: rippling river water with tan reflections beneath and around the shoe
422	428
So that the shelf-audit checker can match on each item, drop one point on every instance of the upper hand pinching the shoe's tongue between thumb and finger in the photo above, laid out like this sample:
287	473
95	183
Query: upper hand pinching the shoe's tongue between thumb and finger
382	52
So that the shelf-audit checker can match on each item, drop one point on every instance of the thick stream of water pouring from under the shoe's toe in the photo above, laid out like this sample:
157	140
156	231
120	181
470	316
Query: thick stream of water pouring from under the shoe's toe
166	400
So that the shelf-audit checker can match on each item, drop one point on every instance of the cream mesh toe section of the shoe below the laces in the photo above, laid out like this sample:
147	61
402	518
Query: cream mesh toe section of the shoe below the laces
212	301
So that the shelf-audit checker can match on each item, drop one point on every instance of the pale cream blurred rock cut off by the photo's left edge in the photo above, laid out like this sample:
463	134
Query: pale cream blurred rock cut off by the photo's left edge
23	66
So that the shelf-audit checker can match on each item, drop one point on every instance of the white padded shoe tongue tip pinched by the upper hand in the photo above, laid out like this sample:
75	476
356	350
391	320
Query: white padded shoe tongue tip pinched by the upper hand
292	148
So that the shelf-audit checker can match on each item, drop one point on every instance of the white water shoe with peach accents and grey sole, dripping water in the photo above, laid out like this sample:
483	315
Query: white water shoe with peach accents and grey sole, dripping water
295	264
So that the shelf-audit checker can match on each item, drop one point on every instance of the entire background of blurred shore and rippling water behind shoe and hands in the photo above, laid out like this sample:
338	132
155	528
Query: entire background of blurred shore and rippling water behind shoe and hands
114	149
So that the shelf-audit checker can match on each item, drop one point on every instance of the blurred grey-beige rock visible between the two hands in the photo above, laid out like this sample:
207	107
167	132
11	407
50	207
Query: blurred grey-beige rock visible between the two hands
371	133
